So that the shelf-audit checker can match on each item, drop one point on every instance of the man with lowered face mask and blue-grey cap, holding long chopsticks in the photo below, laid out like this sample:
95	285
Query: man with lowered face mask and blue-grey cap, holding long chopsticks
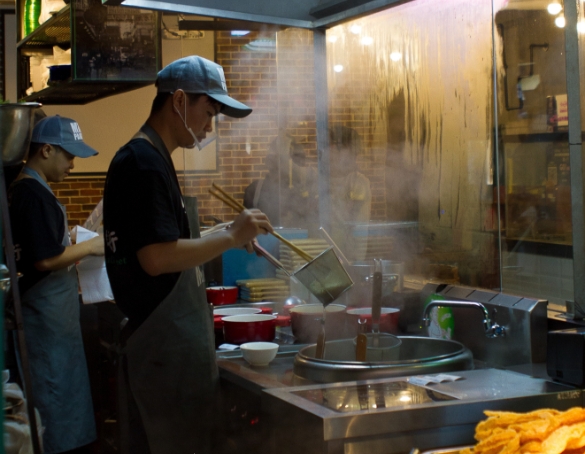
154	261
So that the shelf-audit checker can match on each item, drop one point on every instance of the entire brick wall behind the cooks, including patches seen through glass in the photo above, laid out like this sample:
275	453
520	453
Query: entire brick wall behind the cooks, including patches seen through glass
279	86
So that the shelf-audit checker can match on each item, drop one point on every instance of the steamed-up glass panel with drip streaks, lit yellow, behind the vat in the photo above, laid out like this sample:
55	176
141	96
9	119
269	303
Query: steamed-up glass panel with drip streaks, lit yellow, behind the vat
414	84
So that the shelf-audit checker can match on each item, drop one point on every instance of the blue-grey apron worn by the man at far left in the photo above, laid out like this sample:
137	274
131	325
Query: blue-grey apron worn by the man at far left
60	381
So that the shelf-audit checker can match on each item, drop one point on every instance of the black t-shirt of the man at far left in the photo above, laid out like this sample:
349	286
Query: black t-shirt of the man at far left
38	227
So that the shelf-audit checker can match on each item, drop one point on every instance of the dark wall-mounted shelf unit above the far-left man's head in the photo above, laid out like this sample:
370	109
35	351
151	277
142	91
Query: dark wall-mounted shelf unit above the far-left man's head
114	49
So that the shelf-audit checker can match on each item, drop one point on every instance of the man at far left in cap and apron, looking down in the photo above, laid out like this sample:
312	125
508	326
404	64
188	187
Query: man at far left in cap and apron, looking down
49	287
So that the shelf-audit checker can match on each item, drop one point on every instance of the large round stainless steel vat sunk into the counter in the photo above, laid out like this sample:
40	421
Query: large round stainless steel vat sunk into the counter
418	356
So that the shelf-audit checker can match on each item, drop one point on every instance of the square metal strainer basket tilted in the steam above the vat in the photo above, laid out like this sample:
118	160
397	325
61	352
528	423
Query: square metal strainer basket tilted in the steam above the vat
325	277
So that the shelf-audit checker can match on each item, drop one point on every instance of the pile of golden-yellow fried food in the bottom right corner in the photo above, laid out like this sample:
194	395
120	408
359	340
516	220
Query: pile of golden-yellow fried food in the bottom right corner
545	431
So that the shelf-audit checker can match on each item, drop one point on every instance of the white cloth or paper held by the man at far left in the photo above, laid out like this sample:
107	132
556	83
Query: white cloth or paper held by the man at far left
91	270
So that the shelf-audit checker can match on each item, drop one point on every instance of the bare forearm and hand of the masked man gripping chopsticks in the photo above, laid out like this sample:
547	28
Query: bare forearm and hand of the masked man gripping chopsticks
177	256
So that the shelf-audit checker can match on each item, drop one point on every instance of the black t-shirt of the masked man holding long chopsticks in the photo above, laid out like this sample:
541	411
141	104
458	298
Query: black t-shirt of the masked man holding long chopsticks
143	205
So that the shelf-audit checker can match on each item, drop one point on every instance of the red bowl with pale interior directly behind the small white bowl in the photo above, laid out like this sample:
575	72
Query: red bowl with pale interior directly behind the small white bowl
238	329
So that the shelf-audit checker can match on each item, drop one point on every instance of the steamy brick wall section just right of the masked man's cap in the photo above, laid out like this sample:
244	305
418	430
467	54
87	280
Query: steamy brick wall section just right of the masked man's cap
278	85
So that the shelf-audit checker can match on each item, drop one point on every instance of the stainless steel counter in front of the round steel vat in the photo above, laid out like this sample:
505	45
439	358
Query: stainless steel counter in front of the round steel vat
384	415
